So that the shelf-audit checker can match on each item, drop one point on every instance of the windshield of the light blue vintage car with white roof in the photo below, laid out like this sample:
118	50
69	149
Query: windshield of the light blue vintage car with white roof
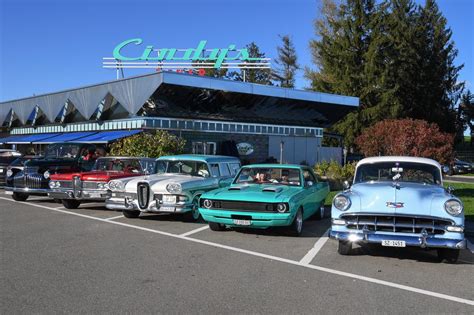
401	171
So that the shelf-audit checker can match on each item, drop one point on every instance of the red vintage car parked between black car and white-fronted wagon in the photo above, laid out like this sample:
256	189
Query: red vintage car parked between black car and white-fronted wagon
74	188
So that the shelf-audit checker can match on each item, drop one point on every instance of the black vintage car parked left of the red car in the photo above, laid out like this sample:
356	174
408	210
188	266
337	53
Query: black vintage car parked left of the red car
59	158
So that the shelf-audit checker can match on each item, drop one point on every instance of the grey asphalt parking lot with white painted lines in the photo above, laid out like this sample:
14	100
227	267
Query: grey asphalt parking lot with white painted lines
93	260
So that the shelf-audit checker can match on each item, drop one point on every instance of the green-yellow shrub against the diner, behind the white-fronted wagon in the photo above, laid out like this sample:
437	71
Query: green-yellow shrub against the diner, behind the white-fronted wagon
153	145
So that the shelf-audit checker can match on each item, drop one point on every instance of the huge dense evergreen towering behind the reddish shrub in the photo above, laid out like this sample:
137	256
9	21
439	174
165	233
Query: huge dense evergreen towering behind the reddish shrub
398	58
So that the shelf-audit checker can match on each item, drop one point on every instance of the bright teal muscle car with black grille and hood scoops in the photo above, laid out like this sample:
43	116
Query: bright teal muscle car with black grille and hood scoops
265	195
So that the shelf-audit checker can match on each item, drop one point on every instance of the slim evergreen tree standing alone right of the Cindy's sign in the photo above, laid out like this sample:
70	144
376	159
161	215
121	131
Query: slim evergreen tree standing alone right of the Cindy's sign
287	62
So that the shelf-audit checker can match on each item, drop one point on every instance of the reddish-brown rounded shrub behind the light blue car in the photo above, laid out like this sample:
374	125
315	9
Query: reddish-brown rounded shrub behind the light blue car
406	137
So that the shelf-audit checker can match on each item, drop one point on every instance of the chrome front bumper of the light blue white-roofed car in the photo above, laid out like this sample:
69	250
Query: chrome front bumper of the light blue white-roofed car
421	240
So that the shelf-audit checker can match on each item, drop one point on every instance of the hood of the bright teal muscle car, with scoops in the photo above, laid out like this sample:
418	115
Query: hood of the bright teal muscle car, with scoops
254	192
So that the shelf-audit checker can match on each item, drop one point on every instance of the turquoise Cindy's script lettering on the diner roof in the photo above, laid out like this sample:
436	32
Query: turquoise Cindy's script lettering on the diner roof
218	56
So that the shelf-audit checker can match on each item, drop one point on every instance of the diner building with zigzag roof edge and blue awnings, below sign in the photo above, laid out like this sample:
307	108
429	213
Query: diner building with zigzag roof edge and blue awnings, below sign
214	116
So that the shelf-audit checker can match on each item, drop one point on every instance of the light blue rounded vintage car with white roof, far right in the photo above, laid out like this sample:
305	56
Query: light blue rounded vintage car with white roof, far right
399	202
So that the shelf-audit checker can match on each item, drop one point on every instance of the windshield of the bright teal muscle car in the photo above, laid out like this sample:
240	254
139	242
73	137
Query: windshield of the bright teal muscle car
271	175
